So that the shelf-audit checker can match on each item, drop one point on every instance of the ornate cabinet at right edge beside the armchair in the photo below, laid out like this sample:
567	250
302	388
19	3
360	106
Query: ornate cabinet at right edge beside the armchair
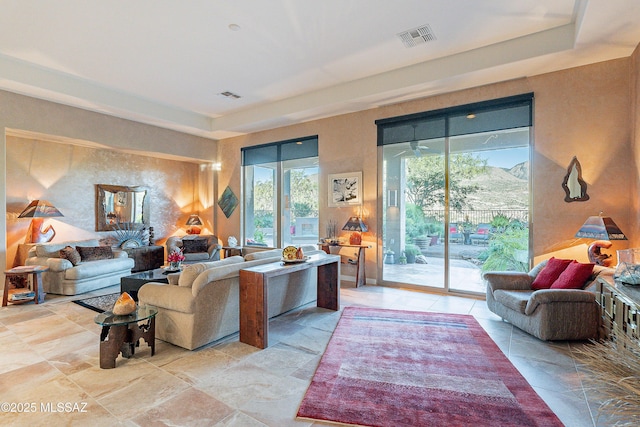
620	307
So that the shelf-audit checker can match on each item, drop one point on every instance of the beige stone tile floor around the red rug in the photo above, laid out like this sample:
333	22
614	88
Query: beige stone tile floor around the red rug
49	356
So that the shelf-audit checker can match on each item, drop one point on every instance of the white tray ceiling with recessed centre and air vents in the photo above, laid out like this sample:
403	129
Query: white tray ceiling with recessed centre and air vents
166	62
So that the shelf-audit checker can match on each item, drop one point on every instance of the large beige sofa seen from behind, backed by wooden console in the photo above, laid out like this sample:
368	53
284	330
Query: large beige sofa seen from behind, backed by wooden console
201	304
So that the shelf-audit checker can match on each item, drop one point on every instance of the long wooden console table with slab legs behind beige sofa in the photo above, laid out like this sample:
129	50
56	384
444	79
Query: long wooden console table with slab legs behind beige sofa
254	284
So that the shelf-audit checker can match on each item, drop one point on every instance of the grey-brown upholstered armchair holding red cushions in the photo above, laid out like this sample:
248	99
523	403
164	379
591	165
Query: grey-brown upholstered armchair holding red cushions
548	314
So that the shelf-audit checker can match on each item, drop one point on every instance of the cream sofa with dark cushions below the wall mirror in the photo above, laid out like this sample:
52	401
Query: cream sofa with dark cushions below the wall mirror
97	267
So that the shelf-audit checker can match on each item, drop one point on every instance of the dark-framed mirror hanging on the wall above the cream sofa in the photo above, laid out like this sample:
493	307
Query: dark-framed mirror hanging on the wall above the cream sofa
118	204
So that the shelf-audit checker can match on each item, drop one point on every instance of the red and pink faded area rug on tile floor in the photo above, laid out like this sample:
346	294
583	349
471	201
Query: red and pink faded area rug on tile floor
403	368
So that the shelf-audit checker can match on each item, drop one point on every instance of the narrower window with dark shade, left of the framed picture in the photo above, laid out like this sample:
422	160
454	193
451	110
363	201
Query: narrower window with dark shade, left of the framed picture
281	193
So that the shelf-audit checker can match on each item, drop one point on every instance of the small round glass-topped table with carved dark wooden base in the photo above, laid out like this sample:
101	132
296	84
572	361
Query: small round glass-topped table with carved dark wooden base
121	334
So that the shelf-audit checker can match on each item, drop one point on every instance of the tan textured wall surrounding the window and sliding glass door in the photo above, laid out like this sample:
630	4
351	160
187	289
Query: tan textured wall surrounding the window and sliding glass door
583	112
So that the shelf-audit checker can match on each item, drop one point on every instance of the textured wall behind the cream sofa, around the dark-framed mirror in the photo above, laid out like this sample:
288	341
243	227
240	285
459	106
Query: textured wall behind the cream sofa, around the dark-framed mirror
66	175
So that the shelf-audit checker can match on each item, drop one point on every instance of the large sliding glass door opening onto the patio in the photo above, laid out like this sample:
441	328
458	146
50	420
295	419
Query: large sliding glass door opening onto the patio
456	195
